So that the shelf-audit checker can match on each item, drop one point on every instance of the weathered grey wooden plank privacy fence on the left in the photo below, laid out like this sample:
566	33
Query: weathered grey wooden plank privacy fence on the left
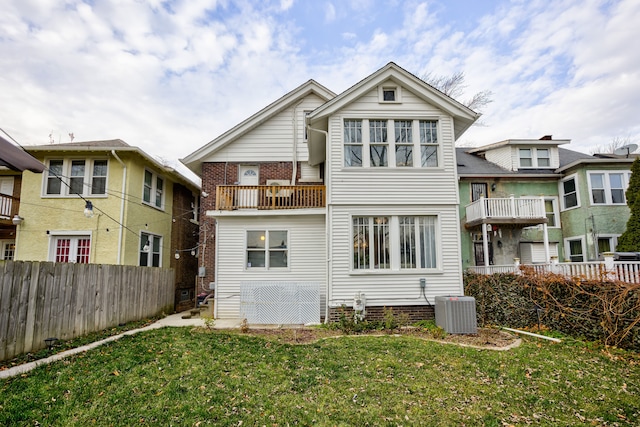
39	300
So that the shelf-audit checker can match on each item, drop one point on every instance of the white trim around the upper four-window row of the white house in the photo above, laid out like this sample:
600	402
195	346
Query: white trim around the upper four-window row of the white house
391	143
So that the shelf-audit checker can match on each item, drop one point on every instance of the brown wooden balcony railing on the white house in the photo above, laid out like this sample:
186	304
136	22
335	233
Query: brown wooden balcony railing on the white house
230	197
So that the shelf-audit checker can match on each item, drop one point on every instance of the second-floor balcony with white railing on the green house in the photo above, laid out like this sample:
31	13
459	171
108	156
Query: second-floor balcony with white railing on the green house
511	210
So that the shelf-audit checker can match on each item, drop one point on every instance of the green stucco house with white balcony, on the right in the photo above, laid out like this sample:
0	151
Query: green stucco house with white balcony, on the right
531	199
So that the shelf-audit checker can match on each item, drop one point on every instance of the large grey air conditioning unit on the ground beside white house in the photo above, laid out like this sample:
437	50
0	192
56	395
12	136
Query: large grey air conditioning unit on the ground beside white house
456	314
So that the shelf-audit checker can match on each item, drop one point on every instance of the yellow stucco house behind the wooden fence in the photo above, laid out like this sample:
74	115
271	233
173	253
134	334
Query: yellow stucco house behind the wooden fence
106	202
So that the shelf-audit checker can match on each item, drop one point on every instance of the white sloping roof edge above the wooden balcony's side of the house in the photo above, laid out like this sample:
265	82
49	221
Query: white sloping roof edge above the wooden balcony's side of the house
194	160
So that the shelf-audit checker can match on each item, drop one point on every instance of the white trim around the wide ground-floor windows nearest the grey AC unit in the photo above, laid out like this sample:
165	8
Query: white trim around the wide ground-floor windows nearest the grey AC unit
394	246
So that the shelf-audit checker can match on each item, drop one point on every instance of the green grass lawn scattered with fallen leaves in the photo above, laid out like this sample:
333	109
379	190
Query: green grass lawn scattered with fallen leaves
186	377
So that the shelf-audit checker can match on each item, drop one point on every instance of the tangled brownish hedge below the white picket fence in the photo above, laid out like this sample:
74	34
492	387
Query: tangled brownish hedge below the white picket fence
608	312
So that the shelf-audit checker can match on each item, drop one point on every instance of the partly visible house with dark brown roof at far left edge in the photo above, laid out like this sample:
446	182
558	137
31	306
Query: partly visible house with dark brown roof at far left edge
14	161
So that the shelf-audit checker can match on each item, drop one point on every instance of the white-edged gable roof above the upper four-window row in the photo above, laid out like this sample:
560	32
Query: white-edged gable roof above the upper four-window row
463	116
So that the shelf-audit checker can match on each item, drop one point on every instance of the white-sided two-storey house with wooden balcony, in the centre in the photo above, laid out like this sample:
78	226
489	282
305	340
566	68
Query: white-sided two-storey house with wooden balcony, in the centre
321	201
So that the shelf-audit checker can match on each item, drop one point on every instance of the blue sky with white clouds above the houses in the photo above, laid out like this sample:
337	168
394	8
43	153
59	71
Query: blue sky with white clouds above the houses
170	76
